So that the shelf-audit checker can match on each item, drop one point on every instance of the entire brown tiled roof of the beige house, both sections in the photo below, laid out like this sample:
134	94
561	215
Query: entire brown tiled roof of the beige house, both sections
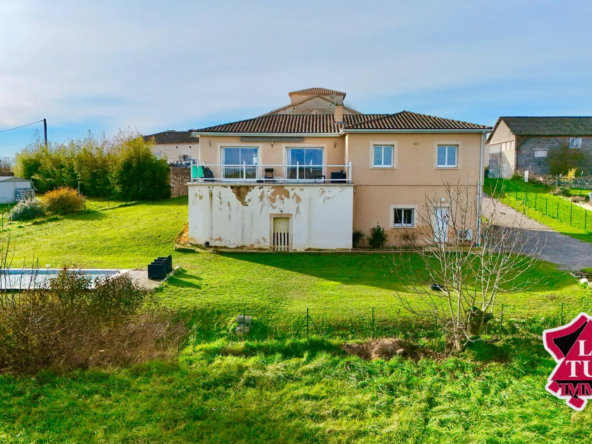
325	123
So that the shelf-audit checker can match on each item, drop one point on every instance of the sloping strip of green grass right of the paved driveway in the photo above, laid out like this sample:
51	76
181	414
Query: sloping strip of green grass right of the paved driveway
535	201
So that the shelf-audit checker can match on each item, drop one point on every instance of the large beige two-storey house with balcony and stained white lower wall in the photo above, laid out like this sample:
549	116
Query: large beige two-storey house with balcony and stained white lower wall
305	175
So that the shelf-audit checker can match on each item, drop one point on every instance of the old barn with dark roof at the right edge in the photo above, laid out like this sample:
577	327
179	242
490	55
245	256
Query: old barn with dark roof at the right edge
525	143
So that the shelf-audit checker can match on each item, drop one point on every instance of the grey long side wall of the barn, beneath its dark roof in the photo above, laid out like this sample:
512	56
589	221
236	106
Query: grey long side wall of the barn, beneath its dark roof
526	160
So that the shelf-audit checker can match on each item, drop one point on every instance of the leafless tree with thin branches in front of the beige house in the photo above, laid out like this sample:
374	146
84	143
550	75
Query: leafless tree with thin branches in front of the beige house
467	262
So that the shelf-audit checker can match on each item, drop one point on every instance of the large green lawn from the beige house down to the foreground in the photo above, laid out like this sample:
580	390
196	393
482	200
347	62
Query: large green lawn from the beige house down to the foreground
281	390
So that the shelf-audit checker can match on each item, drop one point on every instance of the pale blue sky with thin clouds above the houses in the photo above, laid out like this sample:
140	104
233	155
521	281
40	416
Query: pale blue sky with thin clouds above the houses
150	66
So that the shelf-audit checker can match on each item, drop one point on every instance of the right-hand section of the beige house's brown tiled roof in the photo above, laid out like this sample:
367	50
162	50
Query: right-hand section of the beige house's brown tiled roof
406	120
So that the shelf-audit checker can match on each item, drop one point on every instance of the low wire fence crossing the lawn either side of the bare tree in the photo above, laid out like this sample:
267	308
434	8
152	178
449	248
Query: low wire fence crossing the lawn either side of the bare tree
376	322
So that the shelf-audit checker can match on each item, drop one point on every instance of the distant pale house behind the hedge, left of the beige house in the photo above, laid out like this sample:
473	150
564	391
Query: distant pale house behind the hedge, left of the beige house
175	146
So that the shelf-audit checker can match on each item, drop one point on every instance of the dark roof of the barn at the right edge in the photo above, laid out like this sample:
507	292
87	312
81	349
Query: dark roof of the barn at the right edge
549	126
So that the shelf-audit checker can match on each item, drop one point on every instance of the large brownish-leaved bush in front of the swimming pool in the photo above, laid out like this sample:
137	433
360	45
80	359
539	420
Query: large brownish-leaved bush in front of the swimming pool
73	323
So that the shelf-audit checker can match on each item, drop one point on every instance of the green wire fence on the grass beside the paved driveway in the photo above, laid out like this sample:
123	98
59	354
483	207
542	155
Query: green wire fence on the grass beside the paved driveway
547	205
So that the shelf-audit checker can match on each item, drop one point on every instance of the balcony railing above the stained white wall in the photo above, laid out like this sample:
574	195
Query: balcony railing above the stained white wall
298	173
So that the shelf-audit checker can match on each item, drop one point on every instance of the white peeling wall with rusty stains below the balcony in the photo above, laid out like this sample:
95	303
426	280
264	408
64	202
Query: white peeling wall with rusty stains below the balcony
242	216
